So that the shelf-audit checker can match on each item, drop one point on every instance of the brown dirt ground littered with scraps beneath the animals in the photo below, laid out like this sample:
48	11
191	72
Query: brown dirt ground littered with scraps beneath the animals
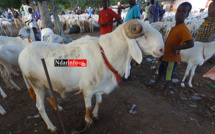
179	113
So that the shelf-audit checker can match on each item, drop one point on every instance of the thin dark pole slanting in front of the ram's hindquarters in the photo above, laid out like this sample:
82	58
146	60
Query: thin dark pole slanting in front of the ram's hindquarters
50	85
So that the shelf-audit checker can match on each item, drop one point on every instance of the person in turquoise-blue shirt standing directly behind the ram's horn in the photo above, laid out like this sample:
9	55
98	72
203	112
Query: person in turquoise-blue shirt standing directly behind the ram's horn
134	12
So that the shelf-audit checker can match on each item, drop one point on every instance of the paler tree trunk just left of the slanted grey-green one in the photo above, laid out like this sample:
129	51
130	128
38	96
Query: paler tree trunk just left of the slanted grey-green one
44	15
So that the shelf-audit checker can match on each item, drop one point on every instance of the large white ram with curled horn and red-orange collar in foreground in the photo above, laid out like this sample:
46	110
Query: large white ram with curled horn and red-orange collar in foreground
129	40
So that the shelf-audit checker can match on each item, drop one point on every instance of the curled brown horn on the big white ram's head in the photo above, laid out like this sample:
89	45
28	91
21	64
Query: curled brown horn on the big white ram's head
133	29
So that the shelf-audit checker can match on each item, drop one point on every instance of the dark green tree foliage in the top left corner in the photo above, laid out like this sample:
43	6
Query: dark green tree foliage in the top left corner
11	3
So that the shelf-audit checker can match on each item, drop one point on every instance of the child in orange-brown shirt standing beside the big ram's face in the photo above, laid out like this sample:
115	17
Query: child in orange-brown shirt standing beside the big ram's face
178	38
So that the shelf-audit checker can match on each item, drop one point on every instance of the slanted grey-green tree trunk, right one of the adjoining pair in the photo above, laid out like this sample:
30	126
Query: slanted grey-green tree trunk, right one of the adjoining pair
58	25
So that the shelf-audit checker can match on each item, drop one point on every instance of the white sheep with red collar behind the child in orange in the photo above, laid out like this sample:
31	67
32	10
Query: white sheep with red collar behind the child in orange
195	56
